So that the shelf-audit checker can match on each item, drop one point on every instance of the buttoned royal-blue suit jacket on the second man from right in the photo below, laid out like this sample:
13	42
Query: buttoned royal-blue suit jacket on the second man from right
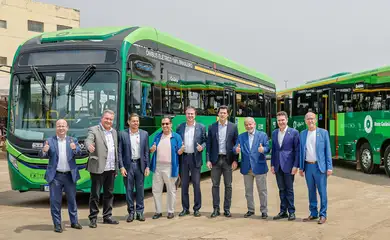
286	156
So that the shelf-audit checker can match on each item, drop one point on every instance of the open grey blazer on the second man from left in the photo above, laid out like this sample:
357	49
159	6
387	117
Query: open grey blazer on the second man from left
97	159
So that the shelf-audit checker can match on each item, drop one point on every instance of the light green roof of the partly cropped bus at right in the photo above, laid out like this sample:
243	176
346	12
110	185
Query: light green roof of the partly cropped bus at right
380	72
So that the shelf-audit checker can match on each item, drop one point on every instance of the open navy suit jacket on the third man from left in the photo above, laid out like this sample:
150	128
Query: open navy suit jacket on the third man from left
124	149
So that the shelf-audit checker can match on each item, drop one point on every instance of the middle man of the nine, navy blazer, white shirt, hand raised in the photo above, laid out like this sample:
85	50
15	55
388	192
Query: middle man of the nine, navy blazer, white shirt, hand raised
194	138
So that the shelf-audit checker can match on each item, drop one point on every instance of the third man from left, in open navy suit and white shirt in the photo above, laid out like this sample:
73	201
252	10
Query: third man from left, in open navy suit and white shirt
133	157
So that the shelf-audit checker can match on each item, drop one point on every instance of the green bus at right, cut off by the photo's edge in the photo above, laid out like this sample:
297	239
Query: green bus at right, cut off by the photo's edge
354	108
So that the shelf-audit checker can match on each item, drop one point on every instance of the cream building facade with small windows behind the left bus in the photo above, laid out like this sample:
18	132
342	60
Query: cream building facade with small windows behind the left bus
23	19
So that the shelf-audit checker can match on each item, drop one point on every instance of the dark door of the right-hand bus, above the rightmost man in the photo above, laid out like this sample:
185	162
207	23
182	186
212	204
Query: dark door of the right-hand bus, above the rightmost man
325	104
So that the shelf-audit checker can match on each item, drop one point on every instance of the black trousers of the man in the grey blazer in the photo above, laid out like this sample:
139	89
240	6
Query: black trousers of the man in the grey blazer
105	180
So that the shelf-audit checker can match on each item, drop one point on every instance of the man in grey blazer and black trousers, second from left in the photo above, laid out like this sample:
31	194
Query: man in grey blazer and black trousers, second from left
102	164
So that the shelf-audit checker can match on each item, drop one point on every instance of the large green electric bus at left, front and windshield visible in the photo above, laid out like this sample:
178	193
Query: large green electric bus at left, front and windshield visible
76	74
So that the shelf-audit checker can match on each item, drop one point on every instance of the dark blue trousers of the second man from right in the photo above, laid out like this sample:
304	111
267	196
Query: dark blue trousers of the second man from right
285	183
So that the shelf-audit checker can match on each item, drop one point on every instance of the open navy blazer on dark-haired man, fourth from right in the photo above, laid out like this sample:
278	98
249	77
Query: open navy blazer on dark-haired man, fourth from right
212	145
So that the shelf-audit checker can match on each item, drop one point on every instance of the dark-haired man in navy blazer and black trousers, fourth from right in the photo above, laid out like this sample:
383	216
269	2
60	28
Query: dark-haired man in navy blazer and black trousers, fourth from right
222	136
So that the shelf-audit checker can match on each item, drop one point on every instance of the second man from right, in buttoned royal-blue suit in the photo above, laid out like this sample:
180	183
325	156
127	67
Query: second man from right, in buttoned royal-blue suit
284	164
